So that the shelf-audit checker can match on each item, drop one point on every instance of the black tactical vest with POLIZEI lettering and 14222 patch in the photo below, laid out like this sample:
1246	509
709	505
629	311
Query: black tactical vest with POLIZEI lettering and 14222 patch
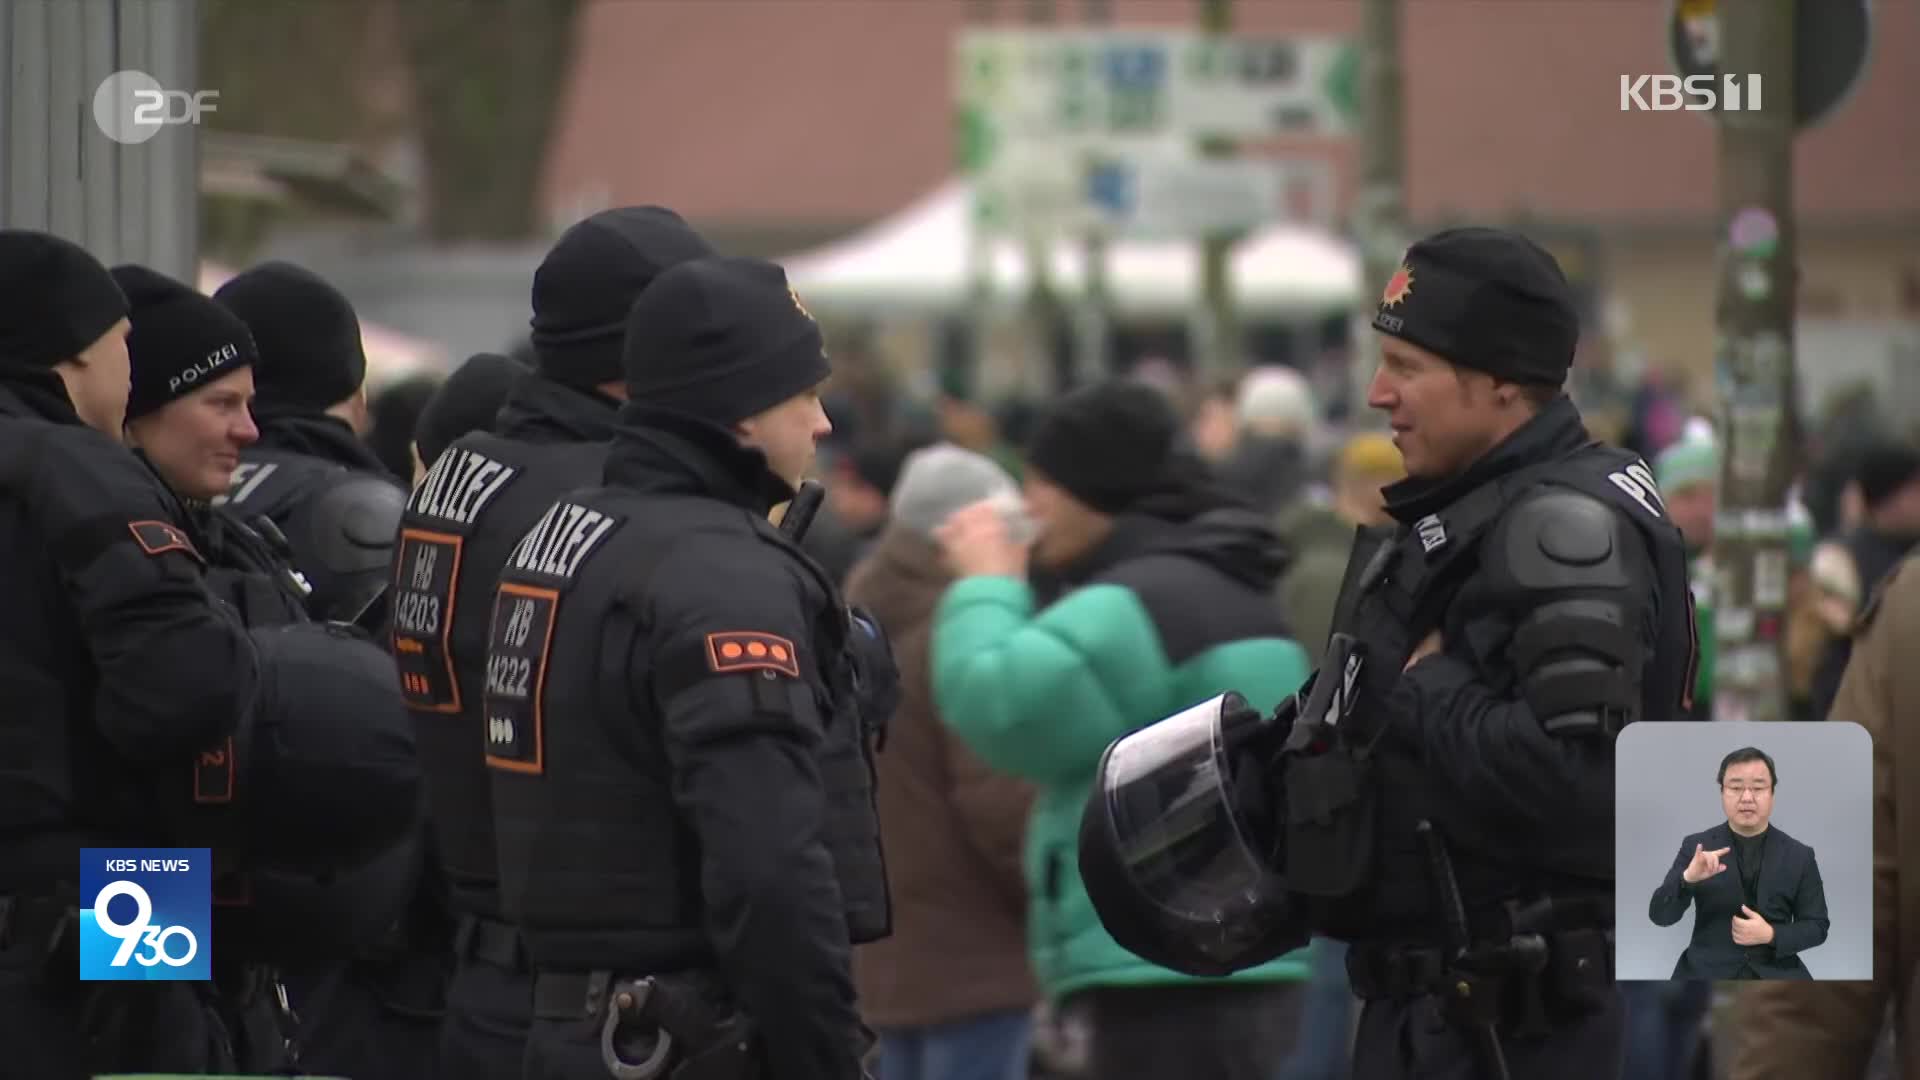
596	866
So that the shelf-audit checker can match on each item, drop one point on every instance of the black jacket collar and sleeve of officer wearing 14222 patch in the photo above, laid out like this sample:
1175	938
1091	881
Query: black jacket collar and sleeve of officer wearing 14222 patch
746	781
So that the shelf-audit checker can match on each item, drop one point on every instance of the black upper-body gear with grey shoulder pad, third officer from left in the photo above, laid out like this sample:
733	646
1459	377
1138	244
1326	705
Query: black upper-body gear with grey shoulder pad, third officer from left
339	524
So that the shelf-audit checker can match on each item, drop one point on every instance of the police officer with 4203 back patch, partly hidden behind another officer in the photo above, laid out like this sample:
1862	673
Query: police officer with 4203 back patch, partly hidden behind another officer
477	501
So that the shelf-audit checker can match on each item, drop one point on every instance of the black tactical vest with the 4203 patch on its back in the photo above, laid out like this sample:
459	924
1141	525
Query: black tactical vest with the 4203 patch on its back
462	522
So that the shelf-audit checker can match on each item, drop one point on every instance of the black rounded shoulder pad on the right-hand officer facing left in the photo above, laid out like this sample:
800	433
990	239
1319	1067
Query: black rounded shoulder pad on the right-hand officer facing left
1558	537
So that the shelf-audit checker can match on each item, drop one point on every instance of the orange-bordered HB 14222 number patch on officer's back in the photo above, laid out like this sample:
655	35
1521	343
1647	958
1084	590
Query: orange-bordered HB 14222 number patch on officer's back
519	643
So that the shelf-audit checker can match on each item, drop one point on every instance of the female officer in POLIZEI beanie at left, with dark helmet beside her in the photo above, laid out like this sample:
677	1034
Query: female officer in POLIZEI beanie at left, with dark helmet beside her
281	902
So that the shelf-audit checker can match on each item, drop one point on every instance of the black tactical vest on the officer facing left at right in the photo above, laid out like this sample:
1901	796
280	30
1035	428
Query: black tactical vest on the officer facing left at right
1399	589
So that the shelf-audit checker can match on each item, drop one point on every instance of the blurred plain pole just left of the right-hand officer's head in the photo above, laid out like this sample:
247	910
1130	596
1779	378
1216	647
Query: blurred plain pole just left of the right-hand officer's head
1380	209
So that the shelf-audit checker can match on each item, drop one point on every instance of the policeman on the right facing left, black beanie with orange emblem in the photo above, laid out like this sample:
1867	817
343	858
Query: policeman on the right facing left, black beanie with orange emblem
1445	797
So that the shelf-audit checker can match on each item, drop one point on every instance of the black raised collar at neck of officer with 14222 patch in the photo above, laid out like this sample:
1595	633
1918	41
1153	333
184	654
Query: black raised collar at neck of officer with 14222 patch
667	453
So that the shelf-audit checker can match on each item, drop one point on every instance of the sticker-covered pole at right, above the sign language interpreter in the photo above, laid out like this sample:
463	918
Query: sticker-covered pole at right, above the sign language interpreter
1756	362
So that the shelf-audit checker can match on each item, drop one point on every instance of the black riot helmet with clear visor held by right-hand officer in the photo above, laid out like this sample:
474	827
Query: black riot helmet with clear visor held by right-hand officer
1178	845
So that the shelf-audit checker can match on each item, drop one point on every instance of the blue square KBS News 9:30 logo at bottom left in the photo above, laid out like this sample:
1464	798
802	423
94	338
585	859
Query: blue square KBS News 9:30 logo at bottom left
149	914
